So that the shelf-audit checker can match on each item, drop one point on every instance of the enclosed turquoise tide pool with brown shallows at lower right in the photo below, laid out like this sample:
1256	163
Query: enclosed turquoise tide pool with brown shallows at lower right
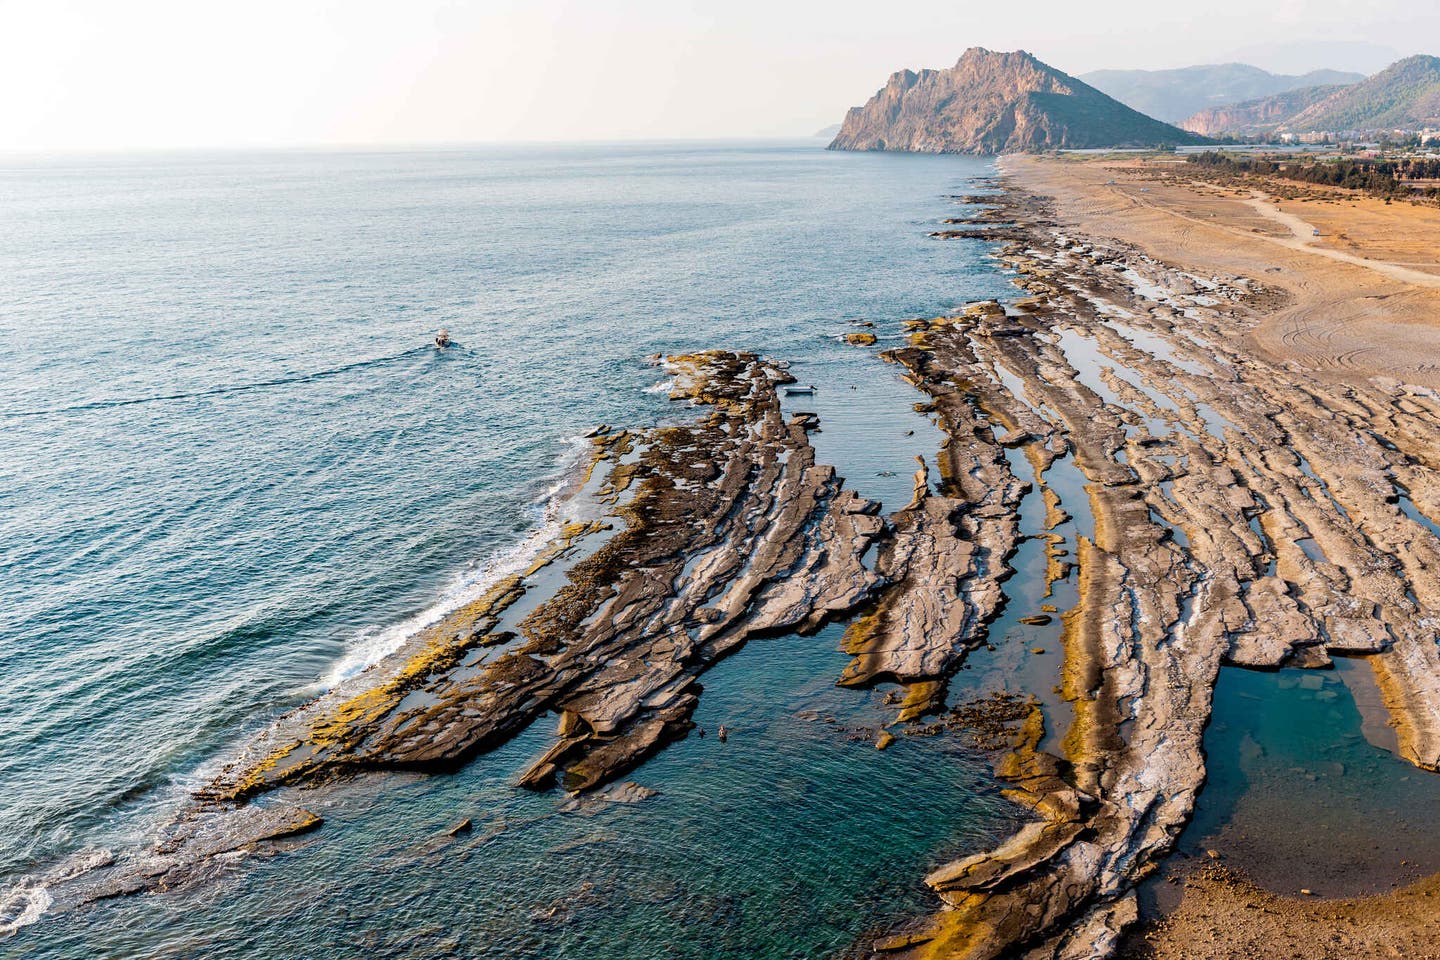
1304	791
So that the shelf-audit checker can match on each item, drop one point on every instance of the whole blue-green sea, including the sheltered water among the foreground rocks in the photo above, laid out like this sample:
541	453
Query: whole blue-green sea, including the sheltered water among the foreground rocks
235	473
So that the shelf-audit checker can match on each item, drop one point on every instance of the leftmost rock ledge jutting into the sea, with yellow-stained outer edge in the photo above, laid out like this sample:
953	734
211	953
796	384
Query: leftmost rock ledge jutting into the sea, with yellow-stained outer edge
718	532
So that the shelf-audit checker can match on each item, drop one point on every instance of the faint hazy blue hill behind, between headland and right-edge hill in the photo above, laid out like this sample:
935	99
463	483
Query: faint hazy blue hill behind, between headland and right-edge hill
1173	96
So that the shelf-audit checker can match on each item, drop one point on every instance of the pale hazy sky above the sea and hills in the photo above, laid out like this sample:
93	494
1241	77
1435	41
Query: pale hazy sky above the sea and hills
125	74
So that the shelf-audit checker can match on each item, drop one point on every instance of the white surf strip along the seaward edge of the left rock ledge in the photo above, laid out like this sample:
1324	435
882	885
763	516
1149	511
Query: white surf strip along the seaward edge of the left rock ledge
375	644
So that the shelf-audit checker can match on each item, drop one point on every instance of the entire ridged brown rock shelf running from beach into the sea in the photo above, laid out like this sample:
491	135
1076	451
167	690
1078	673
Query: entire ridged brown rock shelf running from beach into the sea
1243	513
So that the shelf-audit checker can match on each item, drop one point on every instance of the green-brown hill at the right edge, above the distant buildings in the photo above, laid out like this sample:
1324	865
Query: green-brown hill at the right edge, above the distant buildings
1406	96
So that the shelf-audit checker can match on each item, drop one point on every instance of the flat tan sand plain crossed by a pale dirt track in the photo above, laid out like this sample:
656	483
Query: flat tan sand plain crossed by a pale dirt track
1362	300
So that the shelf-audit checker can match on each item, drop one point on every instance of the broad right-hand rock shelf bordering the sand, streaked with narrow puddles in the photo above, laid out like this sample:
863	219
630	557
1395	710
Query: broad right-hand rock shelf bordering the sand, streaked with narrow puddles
1246	513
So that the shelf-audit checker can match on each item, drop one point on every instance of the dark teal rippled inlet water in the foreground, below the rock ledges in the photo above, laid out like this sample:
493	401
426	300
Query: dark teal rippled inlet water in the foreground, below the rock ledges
791	811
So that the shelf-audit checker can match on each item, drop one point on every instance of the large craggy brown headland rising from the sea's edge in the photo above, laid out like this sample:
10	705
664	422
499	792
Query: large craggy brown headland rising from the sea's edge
997	103
